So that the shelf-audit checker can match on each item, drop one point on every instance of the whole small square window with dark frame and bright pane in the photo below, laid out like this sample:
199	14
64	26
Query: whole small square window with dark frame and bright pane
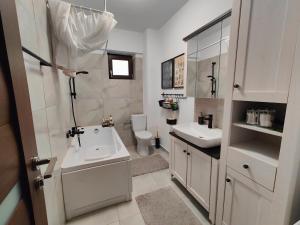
120	66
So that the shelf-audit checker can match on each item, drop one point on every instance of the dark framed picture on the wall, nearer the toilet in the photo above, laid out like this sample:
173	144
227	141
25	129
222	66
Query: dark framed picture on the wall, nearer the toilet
167	70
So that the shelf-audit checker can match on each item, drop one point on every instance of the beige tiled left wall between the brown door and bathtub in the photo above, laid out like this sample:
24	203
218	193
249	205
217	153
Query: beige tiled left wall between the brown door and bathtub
49	102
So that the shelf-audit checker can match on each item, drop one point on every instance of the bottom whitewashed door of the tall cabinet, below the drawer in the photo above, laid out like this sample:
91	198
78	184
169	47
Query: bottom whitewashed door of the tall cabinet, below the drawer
246	203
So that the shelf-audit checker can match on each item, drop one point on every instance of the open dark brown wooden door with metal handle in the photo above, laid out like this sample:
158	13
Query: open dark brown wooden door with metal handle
22	200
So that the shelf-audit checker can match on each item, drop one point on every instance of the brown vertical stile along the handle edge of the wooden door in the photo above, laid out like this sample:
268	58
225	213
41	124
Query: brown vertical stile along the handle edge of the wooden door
16	65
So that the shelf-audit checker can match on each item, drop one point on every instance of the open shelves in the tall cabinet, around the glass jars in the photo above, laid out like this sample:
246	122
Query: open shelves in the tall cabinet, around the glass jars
258	142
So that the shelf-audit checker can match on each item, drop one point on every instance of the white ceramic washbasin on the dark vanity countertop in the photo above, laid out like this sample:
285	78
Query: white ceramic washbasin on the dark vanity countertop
199	135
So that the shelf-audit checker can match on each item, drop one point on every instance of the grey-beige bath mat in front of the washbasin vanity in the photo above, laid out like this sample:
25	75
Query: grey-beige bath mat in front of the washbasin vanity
164	207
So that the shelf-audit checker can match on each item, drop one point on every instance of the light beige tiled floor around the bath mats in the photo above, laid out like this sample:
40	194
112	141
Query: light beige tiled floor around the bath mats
128	213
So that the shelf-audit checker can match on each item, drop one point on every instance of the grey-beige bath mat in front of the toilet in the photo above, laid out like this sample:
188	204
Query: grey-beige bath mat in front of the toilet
148	164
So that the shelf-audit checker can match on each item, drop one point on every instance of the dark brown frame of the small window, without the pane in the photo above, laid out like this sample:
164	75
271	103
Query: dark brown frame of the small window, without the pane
128	58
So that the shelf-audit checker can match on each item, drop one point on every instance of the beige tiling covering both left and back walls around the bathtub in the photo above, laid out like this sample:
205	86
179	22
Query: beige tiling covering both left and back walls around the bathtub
49	95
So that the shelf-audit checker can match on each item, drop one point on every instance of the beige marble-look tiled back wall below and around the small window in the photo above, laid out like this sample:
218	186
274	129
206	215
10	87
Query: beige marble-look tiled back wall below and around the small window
99	96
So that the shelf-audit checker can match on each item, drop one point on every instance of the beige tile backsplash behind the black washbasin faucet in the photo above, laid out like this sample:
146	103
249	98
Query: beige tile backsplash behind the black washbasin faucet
210	106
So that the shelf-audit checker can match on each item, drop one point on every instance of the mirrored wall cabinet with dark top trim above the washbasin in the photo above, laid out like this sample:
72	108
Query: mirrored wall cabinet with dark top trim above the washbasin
207	59
